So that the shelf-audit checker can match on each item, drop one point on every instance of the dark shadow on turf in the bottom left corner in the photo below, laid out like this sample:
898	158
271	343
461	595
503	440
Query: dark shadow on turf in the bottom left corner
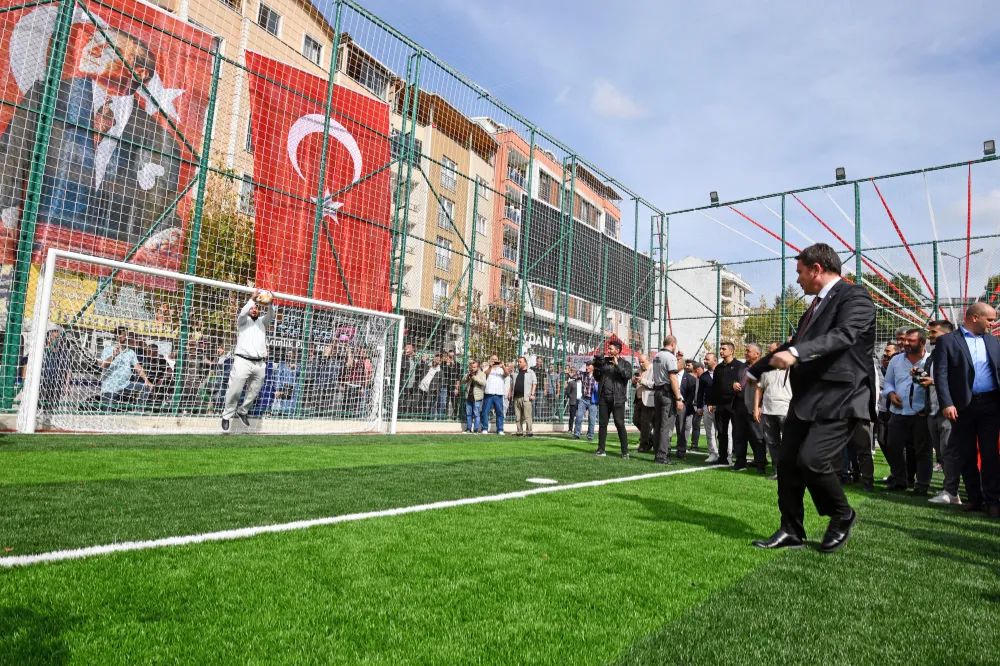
30	637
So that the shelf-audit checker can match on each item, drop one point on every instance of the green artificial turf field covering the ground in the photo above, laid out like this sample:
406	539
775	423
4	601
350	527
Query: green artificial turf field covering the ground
654	571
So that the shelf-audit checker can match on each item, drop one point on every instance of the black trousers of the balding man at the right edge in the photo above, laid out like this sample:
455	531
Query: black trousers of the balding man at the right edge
977	431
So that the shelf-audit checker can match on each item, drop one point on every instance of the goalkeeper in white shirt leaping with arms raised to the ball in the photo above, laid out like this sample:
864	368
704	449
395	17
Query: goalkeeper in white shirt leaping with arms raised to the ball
250	356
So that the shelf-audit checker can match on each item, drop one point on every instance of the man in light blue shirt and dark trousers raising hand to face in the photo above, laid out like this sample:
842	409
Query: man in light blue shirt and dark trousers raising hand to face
909	450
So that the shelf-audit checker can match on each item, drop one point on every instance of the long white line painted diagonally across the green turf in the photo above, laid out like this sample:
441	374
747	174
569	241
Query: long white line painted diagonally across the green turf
246	532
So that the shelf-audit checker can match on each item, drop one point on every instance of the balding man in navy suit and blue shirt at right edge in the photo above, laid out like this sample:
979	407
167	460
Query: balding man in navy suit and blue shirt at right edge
966	364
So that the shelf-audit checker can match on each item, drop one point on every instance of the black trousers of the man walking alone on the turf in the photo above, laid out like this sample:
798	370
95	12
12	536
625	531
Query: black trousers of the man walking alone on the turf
809	450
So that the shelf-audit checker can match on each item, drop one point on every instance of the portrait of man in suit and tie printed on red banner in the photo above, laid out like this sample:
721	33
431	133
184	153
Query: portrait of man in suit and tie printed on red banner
112	169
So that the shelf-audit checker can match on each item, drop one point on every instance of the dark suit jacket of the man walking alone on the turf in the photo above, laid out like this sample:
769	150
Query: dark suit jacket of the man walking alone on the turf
835	376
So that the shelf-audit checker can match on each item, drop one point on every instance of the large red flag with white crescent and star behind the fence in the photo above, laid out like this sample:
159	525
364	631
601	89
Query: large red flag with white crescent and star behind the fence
354	242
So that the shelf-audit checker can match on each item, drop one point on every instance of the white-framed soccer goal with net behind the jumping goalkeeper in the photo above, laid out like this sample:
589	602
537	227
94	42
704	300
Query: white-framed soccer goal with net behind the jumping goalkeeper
121	348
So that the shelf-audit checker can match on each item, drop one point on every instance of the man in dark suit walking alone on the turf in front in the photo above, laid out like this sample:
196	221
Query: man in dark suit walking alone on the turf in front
832	379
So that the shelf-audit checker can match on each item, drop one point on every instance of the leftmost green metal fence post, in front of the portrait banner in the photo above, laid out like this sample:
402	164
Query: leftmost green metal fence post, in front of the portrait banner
32	199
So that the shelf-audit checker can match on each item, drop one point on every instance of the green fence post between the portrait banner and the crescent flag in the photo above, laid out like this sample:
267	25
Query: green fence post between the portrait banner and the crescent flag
199	207
